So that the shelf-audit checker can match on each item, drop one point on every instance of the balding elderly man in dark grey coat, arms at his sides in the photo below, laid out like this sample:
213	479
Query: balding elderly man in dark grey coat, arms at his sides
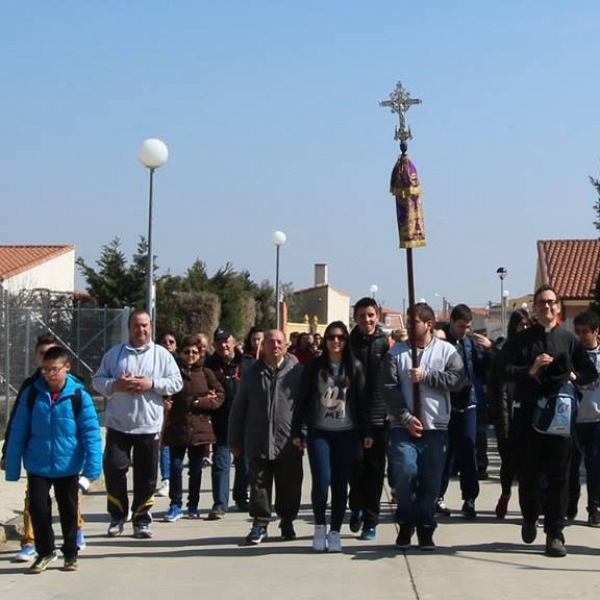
260	424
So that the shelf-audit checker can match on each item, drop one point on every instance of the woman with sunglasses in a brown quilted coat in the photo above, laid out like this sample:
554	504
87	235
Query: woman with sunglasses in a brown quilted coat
189	427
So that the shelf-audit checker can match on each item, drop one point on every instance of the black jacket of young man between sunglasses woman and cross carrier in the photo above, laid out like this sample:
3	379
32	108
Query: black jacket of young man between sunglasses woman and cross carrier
369	350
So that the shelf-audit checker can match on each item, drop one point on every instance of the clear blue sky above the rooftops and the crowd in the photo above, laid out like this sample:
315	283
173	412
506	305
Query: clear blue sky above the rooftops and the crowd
270	112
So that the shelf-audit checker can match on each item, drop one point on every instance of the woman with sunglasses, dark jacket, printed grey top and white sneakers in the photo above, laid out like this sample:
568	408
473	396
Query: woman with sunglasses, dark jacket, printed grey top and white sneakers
332	408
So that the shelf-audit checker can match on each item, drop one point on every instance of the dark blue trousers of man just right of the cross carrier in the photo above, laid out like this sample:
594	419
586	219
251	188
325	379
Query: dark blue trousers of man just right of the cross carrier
462	435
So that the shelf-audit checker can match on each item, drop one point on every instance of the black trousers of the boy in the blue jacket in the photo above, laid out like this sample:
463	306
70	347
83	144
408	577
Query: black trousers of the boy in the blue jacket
40	508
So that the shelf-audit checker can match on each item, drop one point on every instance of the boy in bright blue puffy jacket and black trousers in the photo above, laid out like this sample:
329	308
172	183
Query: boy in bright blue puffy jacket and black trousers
57	436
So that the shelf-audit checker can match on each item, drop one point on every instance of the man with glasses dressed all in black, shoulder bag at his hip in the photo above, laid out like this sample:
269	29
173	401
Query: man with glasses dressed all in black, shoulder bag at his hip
540	360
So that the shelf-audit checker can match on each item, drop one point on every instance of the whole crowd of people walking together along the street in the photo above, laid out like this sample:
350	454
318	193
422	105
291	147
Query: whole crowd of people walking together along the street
353	400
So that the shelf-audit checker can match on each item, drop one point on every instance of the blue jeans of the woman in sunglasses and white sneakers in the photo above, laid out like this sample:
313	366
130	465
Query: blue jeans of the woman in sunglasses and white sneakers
331	455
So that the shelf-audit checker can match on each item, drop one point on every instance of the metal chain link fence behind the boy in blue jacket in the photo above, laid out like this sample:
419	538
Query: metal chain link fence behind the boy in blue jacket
86	332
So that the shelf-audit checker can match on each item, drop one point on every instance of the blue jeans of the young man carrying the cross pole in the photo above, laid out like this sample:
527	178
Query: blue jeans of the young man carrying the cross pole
417	465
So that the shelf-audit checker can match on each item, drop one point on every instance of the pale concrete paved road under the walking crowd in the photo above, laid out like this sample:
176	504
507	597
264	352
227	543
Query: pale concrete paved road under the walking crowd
475	560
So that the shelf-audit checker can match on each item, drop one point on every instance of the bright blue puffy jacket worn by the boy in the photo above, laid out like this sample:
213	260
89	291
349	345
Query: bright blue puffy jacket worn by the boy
50	440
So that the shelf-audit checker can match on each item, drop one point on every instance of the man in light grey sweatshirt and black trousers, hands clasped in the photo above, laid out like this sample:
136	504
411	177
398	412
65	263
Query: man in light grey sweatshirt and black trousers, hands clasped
134	377
